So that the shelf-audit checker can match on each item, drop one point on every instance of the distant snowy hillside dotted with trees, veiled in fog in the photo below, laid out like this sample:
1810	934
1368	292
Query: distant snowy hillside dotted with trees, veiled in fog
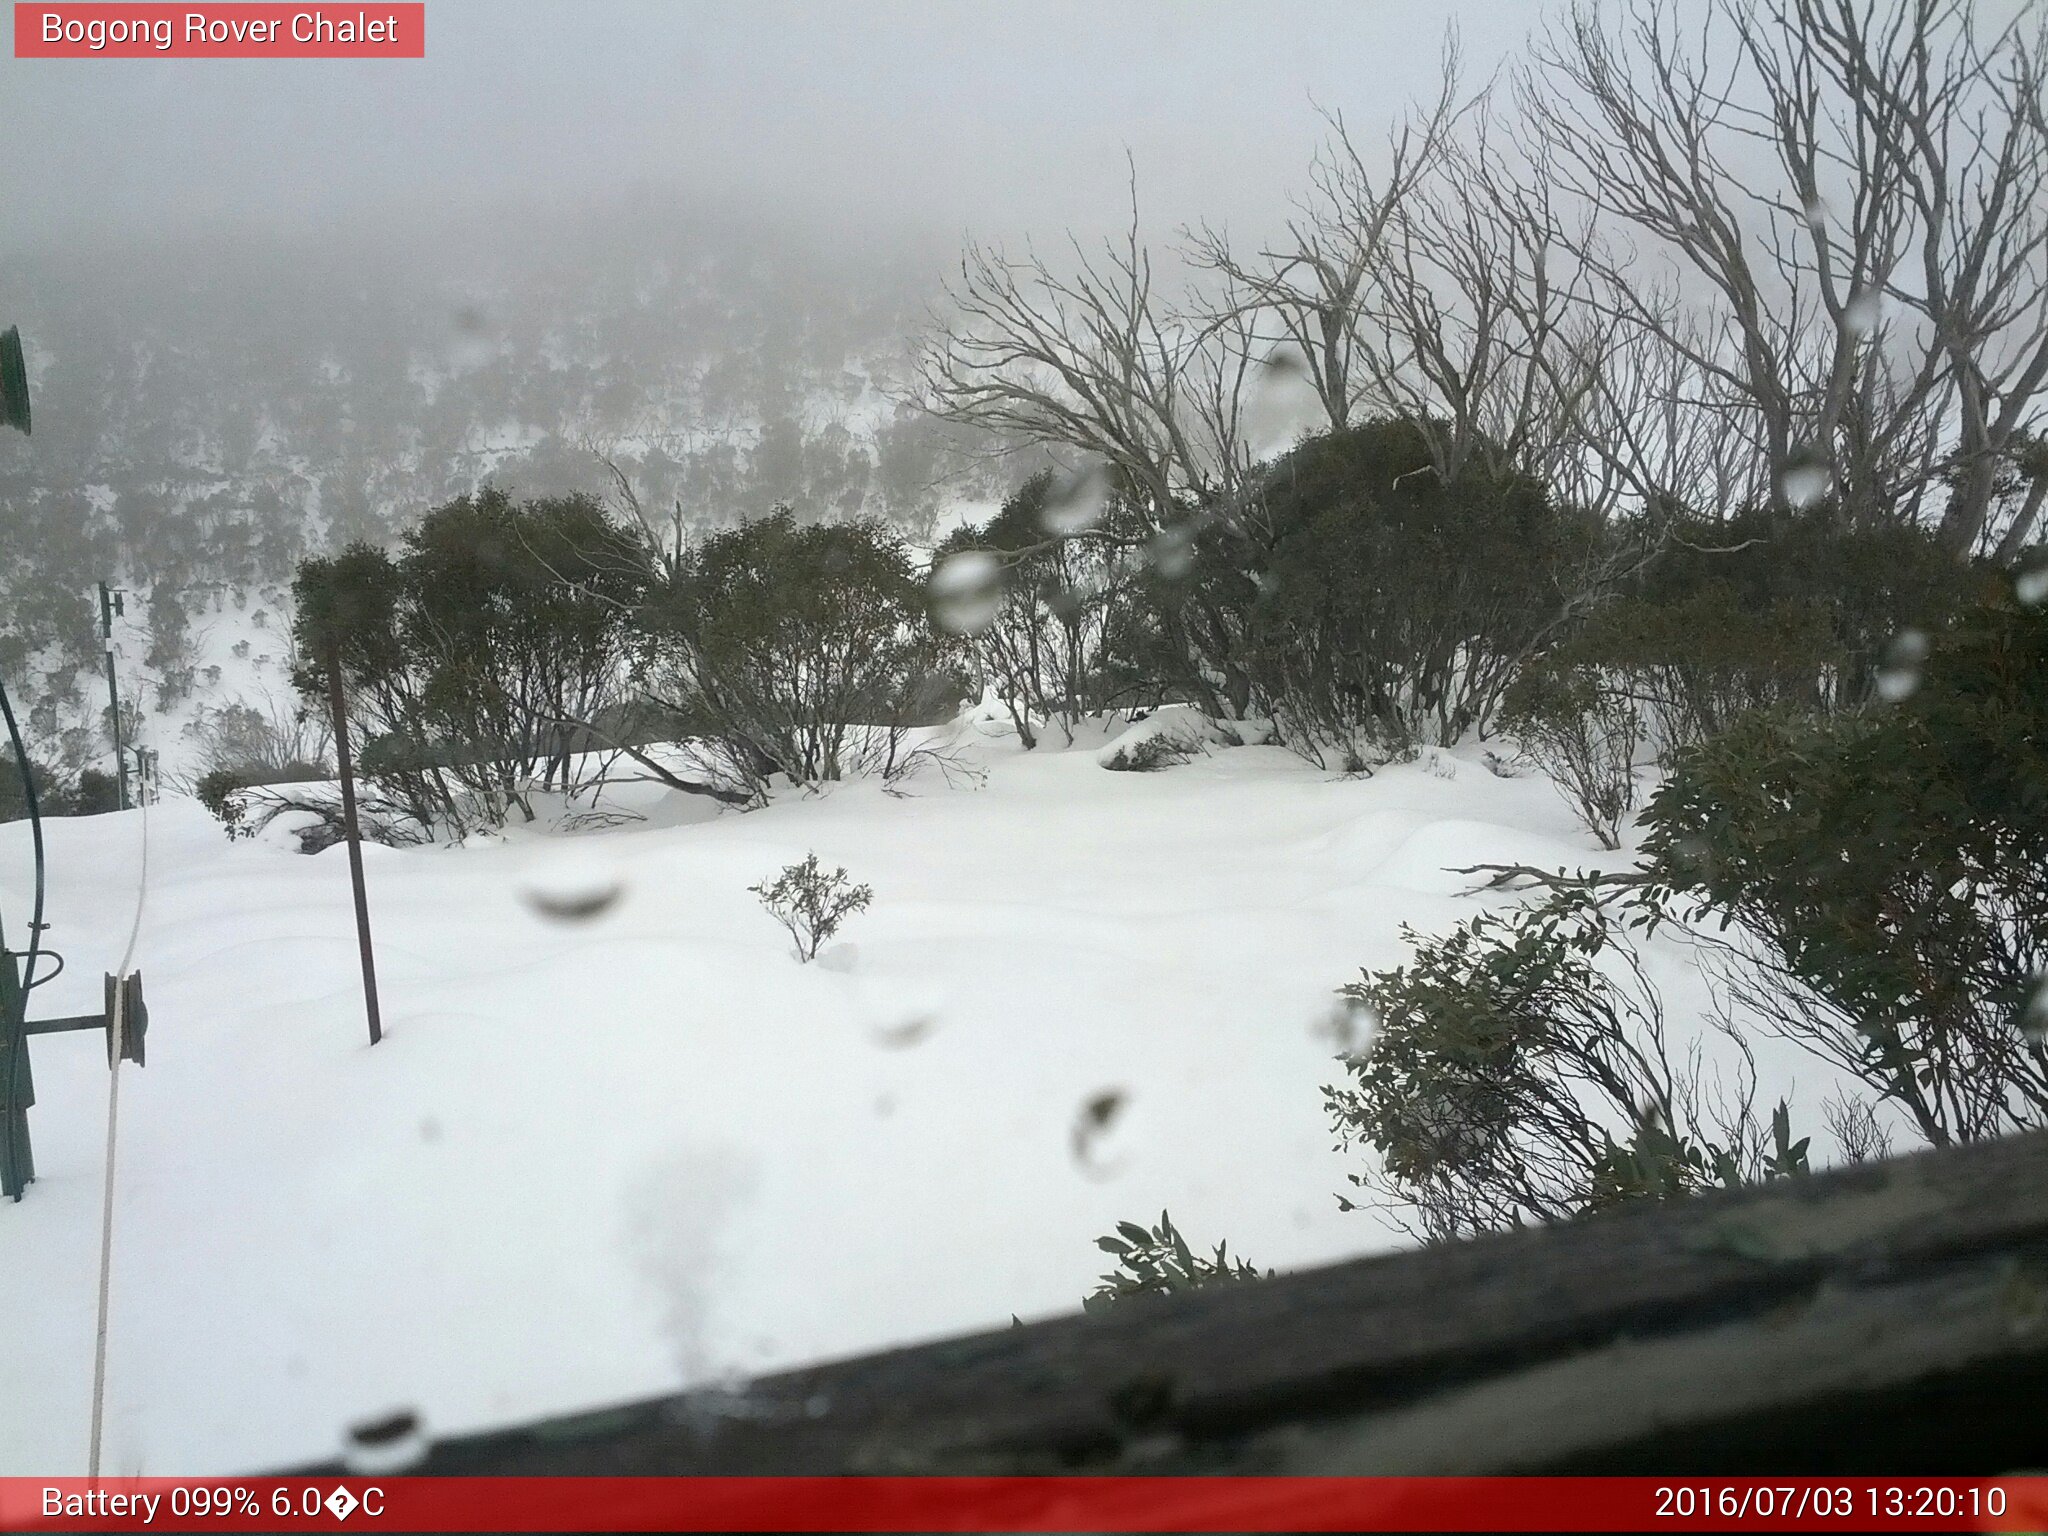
210	413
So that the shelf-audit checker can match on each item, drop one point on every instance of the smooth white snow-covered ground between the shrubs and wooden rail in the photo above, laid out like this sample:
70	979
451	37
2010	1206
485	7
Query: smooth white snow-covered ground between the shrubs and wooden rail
599	1160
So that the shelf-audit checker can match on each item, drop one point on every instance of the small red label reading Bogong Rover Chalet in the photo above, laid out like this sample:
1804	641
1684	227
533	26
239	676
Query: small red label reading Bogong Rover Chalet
220	32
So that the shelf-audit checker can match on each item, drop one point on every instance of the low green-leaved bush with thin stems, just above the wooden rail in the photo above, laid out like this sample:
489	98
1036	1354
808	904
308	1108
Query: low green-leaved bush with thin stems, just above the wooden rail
1521	1070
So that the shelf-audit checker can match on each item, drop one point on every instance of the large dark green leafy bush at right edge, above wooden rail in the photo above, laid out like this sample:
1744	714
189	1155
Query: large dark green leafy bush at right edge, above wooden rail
1889	876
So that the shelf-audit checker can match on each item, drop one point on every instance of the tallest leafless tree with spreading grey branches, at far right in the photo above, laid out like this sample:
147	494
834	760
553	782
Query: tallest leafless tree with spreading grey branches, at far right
1848	204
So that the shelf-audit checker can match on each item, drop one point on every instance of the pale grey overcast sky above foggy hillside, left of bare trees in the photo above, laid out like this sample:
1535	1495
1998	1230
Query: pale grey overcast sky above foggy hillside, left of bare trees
941	116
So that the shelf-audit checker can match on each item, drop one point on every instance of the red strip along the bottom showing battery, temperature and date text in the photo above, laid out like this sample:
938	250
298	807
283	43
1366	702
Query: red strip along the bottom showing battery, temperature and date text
1025	1504
